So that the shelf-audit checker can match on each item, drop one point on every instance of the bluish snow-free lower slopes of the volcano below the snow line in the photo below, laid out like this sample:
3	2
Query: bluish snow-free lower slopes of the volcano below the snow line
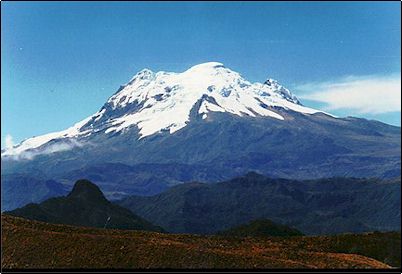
222	147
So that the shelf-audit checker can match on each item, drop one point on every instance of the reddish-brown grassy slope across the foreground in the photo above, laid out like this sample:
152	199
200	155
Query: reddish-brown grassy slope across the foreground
32	244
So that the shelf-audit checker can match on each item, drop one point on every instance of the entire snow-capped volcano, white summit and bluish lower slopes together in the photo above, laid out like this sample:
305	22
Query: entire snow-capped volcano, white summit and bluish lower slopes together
205	124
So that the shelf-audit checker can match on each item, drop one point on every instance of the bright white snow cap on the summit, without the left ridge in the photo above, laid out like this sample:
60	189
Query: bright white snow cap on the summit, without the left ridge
169	97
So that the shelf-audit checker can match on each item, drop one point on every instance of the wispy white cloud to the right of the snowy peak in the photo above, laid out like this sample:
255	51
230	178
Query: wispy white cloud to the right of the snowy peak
364	94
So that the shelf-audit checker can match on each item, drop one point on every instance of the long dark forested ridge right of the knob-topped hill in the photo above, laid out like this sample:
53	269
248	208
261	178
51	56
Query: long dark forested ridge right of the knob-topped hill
325	206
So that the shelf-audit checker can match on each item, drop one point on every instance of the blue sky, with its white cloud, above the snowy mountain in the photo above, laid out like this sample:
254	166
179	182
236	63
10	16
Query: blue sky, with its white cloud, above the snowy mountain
61	61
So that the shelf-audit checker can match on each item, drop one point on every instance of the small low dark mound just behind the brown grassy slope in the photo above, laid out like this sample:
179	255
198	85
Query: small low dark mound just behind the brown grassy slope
261	228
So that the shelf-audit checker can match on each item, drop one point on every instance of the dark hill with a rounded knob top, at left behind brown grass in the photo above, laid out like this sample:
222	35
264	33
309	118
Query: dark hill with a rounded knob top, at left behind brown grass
85	205
